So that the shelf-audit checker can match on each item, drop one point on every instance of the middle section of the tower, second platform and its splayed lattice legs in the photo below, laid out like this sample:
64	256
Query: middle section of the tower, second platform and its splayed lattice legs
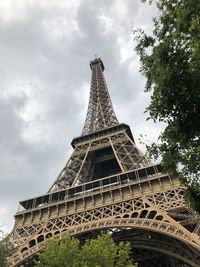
114	146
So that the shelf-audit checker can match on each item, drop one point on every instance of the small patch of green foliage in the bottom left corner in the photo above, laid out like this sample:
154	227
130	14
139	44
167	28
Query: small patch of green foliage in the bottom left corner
5	249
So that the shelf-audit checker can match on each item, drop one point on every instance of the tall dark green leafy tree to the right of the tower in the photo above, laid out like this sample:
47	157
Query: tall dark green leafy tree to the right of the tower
170	60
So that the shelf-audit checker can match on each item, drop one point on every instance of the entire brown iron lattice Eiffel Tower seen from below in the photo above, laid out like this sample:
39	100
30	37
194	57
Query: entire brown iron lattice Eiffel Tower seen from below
109	185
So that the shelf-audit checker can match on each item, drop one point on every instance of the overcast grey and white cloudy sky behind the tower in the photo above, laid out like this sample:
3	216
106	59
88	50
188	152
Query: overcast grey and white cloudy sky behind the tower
45	49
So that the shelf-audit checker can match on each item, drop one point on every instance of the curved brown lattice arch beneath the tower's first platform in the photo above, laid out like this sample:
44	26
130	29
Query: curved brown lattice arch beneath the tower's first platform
138	213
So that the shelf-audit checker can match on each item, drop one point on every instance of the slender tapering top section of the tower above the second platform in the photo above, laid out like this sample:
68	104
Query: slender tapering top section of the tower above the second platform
100	113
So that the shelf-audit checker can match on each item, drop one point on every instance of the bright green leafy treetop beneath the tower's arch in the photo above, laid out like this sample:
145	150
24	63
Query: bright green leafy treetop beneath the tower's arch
99	252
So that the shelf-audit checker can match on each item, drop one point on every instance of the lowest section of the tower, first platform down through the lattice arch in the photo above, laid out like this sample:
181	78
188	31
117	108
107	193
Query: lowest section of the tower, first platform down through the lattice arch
153	204
